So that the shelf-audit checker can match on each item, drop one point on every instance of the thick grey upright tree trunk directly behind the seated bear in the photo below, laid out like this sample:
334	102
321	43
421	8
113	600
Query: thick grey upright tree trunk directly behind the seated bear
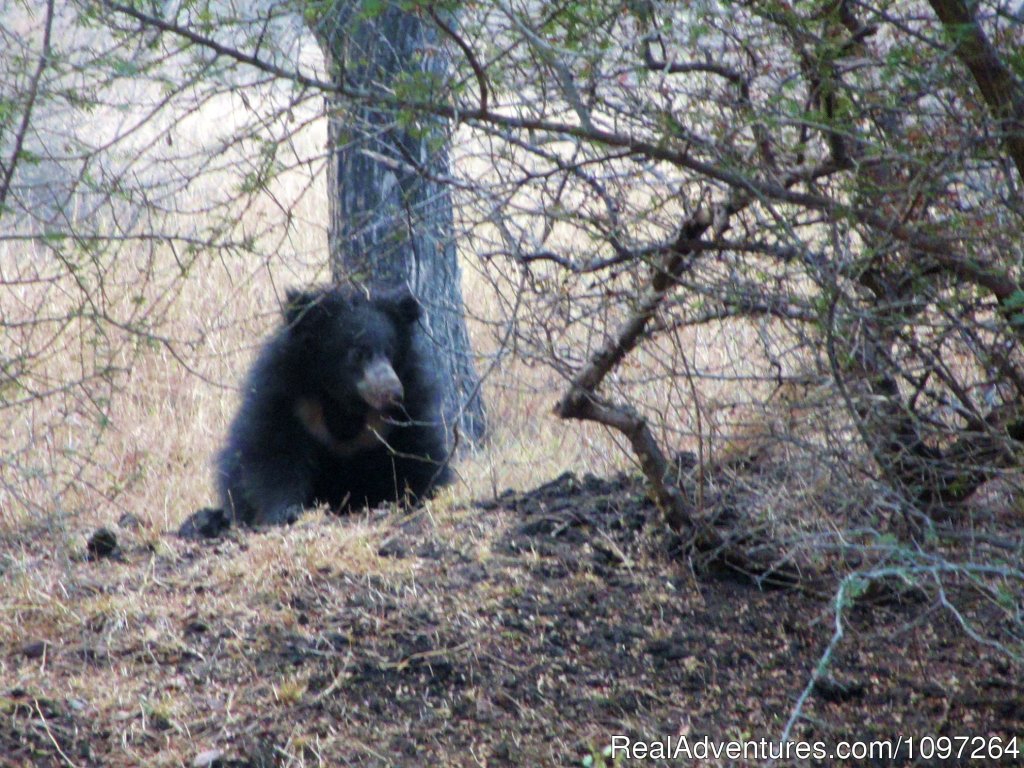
391	217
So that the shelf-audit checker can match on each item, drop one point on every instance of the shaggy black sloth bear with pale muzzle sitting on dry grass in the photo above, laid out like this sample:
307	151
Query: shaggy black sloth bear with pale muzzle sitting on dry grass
338	409
